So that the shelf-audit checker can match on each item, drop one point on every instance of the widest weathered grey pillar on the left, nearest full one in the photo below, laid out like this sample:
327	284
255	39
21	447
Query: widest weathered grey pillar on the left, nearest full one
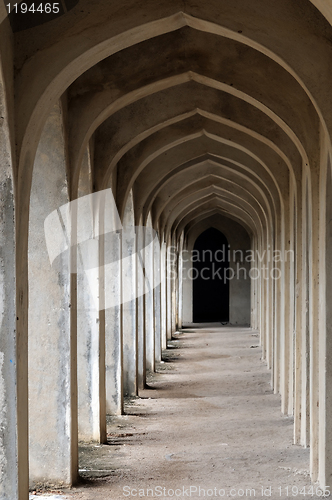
52	345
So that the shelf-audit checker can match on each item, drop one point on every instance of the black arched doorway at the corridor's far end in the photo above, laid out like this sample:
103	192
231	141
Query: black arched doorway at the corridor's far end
210	289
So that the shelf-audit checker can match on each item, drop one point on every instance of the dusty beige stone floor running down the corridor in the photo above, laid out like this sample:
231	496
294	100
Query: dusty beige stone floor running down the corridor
207	426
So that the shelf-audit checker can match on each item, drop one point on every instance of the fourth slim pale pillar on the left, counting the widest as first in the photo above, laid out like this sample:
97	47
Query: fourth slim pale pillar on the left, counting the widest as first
129	301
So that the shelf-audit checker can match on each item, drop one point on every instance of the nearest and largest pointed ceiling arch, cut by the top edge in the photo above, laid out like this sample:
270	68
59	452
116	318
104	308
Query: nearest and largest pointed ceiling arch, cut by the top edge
76	57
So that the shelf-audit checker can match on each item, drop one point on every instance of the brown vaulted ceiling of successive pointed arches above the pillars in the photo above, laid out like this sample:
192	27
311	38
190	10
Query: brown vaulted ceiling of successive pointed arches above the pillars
199	107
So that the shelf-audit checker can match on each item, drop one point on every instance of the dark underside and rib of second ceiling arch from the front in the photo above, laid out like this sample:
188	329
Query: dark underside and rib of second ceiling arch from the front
92	107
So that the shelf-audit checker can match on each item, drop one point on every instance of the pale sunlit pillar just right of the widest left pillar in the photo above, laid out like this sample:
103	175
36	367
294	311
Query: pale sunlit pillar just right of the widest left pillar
90	335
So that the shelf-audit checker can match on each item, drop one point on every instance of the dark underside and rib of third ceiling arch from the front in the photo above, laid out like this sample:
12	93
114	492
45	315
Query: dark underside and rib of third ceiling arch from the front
116	146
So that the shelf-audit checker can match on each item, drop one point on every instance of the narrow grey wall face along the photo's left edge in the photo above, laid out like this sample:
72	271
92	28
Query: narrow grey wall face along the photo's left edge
8	366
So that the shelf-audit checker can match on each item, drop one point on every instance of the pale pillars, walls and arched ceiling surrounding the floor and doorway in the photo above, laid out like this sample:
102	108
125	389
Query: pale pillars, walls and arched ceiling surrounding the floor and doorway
190	115
